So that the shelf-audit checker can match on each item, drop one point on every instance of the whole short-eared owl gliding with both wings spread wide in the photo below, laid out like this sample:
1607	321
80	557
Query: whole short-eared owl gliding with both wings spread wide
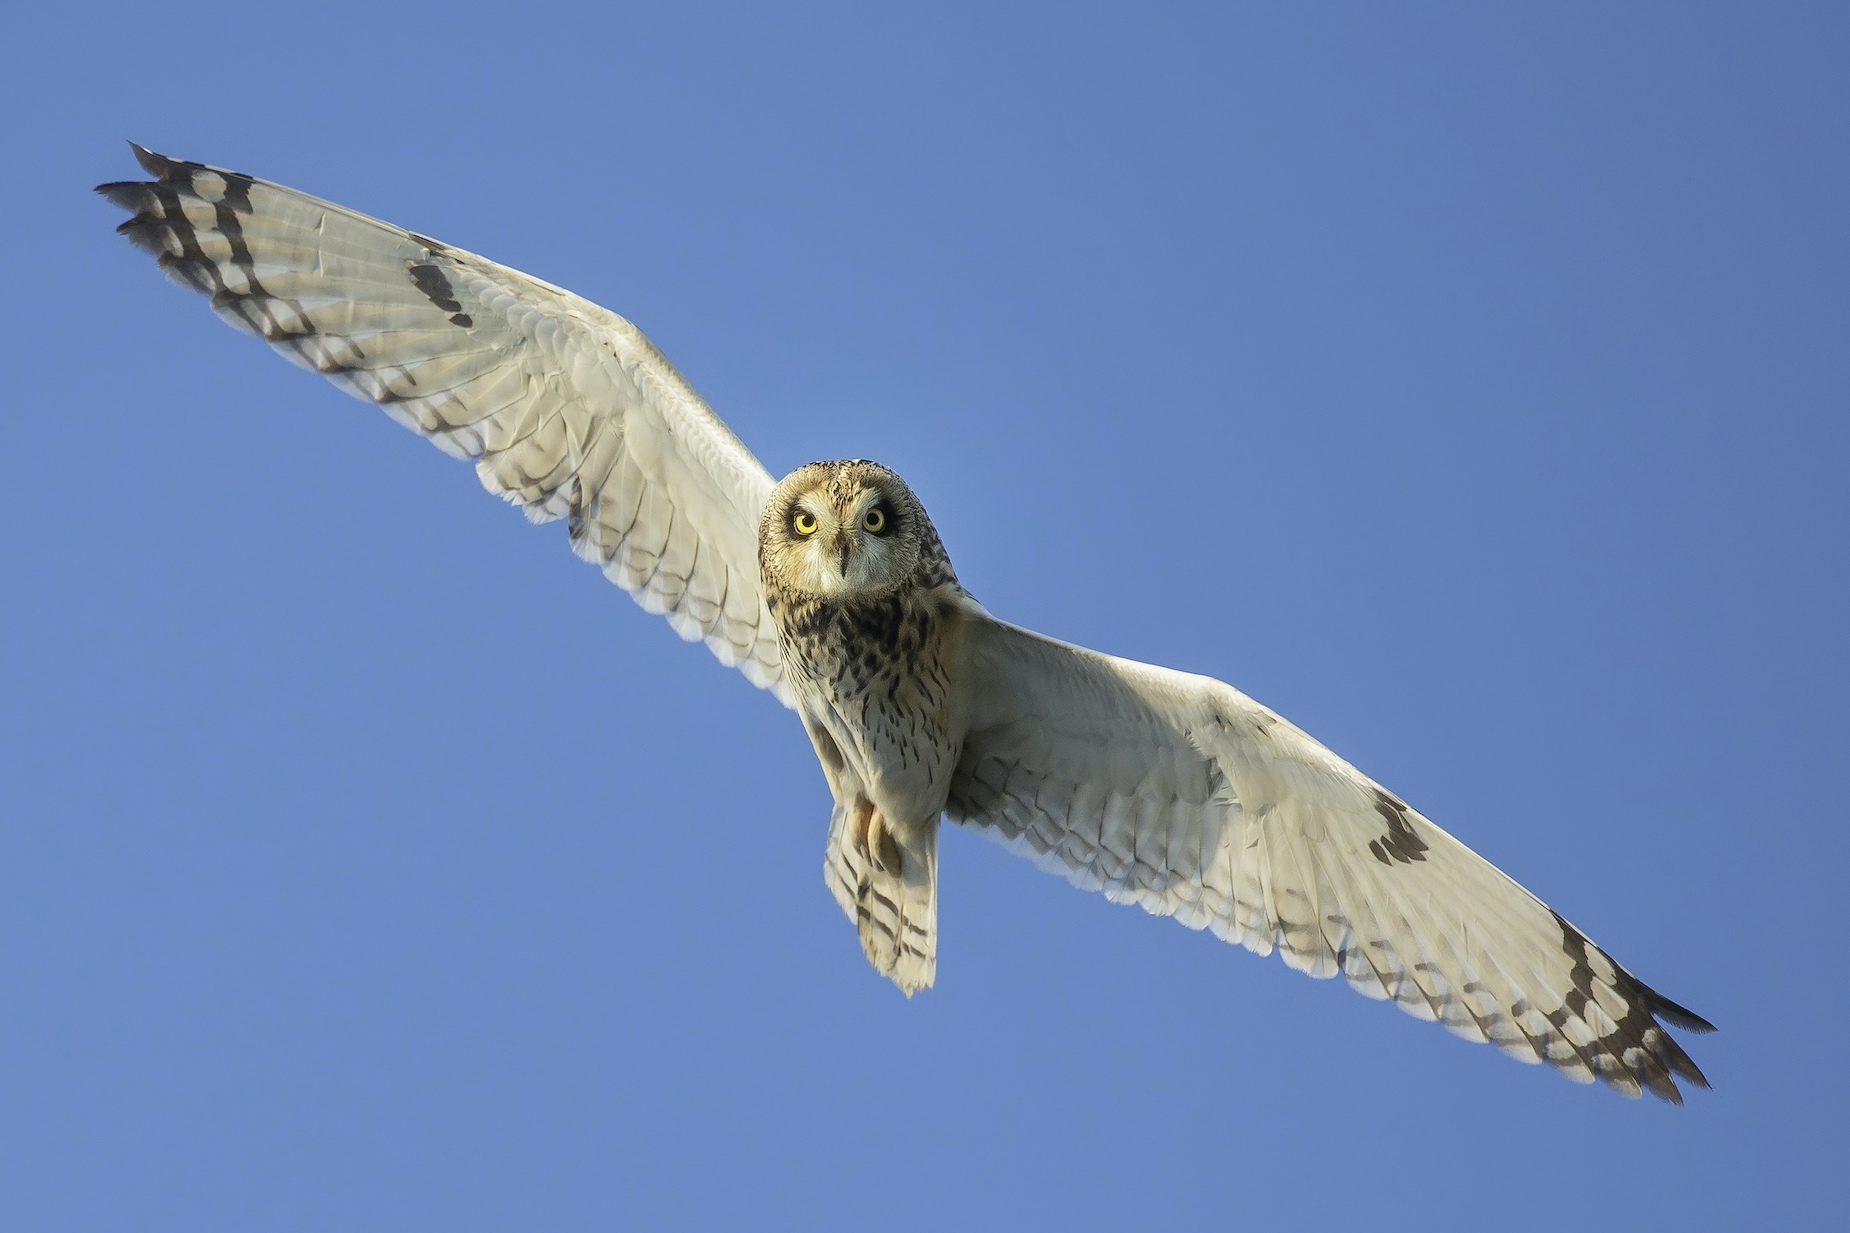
833	592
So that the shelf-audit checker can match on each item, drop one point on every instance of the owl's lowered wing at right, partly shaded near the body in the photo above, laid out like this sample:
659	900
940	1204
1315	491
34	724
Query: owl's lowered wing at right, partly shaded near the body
1183	795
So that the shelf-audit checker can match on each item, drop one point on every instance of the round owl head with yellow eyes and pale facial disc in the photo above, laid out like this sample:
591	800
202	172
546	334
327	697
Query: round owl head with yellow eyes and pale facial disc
841	530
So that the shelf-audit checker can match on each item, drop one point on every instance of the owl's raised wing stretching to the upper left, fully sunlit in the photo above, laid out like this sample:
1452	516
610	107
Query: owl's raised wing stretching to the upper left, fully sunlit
565	406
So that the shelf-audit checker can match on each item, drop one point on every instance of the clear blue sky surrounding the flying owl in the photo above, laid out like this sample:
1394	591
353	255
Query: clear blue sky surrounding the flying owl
1470	386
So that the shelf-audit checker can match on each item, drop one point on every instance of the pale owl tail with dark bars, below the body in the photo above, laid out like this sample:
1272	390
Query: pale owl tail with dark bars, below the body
887	882
